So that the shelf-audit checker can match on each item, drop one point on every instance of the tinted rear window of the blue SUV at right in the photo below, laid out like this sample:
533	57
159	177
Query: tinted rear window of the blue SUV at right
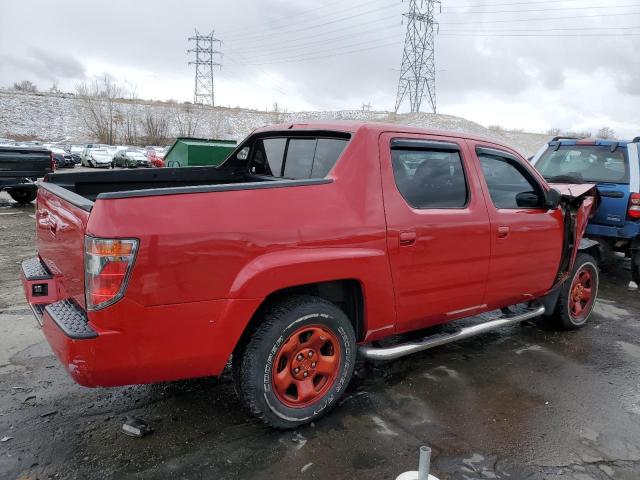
588	163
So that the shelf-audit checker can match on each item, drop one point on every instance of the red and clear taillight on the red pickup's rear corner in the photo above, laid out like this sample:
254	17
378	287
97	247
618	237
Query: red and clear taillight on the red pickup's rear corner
107	265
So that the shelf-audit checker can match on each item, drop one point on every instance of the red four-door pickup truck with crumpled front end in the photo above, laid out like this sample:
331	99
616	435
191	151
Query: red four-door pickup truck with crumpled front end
311	243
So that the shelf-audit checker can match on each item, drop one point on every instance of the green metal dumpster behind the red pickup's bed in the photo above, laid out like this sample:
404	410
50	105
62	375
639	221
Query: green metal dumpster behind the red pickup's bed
190	152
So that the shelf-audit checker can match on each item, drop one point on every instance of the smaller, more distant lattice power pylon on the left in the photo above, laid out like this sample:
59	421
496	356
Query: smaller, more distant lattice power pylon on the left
203	92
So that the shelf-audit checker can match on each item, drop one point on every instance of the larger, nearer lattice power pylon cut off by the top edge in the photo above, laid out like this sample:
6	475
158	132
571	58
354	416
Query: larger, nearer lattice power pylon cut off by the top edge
418	71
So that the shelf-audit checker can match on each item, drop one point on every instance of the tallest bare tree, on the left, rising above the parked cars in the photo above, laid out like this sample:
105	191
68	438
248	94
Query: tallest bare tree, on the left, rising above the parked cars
100	109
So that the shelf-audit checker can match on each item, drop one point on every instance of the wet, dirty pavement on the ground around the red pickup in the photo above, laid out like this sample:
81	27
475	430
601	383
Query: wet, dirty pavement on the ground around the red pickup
522	403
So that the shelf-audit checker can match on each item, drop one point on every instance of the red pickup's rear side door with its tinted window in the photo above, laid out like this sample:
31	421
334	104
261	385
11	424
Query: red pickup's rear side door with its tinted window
437	229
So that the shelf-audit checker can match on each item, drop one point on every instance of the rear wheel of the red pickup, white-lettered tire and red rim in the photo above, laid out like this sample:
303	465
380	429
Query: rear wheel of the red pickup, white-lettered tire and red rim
291	320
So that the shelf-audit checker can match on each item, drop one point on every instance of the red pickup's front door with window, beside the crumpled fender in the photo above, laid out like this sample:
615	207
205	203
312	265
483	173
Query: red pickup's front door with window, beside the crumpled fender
526	241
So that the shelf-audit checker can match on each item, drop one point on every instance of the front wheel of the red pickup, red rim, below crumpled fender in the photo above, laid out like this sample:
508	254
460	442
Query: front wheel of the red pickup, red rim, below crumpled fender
566	315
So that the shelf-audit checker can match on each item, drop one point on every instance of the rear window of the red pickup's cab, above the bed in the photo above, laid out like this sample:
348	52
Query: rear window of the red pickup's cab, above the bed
296	158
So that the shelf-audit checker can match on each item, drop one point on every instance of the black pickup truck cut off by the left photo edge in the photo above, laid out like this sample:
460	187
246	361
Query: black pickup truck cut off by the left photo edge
20	168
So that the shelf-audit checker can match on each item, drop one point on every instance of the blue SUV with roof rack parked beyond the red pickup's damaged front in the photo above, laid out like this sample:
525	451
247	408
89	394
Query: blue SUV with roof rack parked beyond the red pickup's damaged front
614	165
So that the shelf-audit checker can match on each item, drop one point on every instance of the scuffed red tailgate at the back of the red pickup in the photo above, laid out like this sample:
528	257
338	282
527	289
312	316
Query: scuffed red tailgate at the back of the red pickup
60	232
